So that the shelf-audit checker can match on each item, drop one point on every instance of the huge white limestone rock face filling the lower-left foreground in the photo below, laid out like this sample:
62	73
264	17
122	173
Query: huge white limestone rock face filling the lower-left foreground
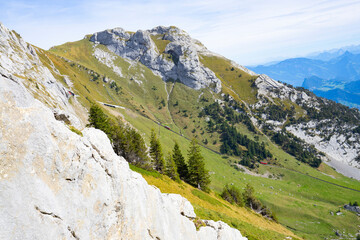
55	184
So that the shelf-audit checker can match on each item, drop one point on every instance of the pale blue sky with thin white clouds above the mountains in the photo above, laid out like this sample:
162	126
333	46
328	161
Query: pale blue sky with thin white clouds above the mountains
248	32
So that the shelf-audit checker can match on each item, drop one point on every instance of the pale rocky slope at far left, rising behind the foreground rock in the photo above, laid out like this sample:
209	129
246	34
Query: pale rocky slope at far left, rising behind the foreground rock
19	60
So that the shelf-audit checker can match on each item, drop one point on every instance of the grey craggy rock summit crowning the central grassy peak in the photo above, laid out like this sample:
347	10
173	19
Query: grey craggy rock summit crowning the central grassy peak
180	60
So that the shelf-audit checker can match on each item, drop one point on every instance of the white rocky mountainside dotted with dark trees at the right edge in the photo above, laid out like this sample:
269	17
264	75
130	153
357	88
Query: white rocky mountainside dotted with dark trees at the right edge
329	127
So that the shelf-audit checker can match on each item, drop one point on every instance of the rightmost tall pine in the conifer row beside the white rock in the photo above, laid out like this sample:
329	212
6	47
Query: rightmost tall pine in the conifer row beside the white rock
198	175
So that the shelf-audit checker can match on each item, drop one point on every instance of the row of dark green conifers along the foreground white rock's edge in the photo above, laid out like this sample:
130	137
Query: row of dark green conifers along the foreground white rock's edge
127	142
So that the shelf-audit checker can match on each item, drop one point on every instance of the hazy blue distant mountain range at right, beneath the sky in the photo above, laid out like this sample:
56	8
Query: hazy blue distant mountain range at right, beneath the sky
333	74
